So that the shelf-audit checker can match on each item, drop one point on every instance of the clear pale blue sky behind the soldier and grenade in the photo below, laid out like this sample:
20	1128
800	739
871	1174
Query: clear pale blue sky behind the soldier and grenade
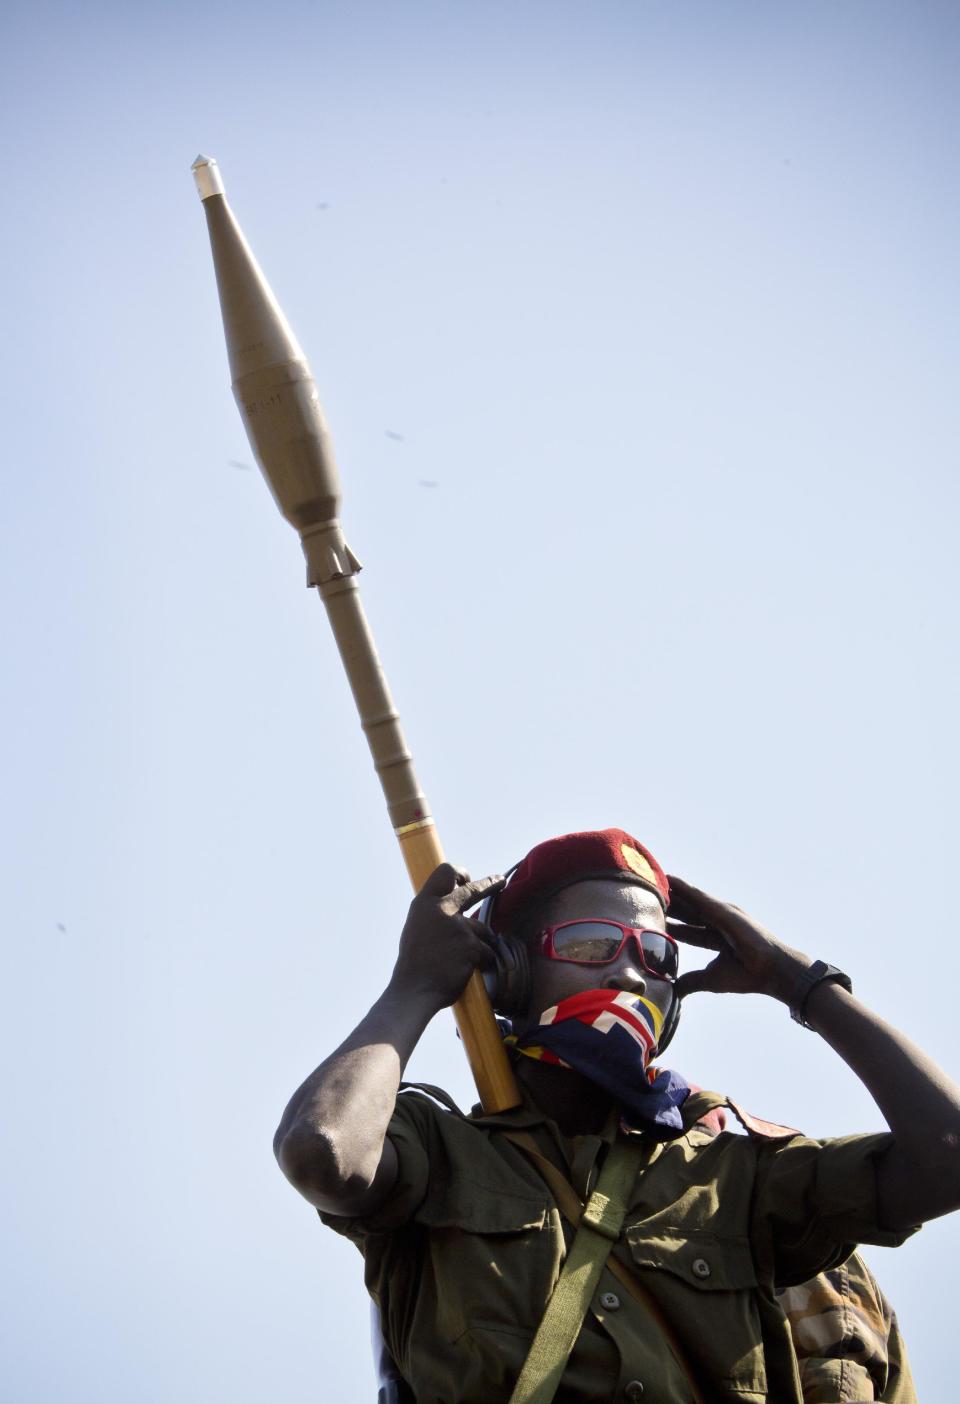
663	301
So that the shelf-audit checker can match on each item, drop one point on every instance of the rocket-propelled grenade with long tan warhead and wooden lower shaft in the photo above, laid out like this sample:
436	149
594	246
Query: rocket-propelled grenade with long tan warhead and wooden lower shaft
281	411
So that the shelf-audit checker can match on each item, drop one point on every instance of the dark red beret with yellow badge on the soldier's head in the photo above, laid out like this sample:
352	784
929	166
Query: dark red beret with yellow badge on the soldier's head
559	863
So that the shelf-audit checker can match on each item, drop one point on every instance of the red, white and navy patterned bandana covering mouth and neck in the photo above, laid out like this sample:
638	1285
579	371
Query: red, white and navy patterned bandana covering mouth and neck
610	1037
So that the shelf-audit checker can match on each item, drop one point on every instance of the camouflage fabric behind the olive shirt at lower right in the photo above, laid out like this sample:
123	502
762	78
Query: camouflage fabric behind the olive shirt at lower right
847	1339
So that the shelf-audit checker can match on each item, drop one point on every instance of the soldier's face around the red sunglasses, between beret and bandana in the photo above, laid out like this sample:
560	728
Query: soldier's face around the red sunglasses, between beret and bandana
555	981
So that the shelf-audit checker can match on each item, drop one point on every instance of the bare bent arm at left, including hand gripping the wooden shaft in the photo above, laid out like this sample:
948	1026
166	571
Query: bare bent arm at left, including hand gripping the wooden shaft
332	1141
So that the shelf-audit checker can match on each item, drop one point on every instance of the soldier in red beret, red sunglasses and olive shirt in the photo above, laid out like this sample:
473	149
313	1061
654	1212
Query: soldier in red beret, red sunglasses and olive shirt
599	1243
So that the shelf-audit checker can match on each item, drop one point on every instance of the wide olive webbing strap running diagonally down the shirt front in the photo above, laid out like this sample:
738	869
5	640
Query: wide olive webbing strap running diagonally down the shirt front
601	1221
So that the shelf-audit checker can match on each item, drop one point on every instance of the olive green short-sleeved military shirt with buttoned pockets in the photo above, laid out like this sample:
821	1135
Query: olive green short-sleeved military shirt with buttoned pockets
465	1254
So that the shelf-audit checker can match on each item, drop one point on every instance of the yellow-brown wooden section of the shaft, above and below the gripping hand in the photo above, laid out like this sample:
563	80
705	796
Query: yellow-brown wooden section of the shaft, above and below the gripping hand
475	1019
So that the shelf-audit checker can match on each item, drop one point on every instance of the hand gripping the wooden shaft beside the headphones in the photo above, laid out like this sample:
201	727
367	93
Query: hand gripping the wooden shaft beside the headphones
441	948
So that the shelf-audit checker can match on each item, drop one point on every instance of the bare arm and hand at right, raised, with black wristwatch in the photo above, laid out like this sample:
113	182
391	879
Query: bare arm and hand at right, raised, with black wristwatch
920	1176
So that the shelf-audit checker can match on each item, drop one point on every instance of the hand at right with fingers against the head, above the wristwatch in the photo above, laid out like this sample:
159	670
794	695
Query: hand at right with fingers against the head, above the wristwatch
750	961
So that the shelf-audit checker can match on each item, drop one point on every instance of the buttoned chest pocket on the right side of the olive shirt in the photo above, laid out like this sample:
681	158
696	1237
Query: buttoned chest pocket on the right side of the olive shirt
707	1288
